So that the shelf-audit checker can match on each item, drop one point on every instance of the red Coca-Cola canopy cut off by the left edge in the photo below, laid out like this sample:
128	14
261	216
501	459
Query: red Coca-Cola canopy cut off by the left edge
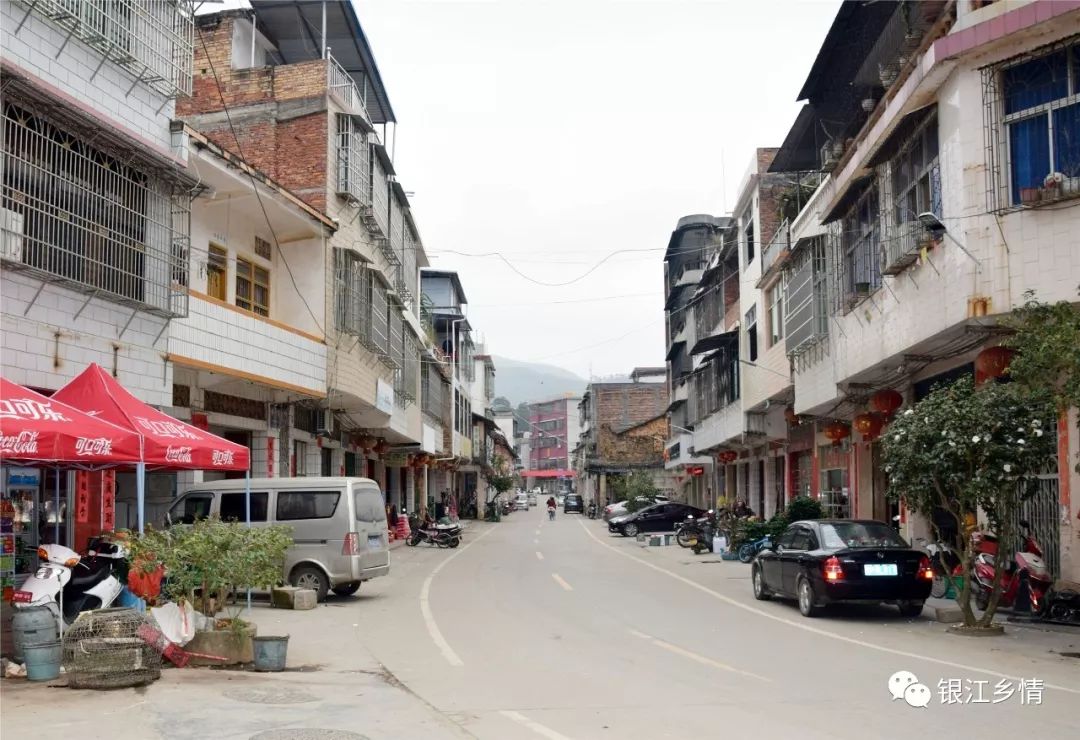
38	430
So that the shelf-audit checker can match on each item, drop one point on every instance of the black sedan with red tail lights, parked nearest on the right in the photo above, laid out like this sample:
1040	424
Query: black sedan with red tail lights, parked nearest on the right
829	561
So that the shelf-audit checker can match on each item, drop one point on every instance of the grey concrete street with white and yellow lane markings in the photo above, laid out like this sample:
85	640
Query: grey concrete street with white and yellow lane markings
537	629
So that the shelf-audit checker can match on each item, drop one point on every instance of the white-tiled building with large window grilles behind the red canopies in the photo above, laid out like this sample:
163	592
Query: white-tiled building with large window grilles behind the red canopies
96	206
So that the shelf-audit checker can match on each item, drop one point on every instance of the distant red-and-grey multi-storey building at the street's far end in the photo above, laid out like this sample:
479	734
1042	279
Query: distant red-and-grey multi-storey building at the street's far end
555	428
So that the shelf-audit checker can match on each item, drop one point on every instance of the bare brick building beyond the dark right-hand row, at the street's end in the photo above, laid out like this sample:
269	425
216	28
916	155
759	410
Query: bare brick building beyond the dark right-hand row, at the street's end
624	430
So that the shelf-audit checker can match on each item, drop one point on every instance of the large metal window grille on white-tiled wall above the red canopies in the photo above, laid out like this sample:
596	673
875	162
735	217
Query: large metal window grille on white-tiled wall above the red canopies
76	214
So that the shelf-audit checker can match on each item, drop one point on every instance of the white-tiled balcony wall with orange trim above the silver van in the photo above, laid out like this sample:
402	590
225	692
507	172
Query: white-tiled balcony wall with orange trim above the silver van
221	337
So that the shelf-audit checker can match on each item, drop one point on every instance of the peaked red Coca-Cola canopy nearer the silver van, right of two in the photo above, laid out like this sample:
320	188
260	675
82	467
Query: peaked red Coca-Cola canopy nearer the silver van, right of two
168	443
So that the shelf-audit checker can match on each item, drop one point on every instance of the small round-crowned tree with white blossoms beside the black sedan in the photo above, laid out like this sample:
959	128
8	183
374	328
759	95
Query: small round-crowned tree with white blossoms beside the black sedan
971	451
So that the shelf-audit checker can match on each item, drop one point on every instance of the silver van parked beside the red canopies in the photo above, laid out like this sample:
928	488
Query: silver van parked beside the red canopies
340	526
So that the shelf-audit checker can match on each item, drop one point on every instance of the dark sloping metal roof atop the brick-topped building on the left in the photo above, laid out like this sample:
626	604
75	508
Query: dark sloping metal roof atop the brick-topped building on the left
295	28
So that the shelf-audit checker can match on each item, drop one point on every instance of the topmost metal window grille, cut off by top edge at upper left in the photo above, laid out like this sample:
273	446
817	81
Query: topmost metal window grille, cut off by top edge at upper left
153	39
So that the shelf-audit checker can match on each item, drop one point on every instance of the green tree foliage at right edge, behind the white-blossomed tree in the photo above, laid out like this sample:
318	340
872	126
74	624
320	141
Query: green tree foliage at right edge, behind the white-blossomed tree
1047	340
